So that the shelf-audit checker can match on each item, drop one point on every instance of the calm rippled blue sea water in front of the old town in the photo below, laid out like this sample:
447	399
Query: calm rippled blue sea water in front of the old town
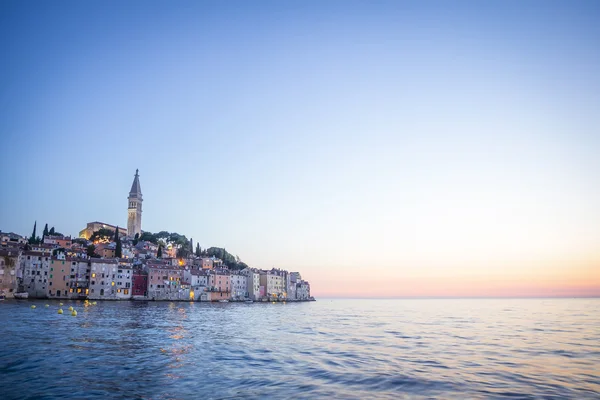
346	349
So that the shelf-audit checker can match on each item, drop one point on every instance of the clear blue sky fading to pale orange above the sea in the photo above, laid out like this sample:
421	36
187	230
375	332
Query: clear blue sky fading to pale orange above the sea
381	148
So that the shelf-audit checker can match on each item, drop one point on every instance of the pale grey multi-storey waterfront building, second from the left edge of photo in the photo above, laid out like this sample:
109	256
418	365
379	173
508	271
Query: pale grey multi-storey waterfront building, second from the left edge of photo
34	279
